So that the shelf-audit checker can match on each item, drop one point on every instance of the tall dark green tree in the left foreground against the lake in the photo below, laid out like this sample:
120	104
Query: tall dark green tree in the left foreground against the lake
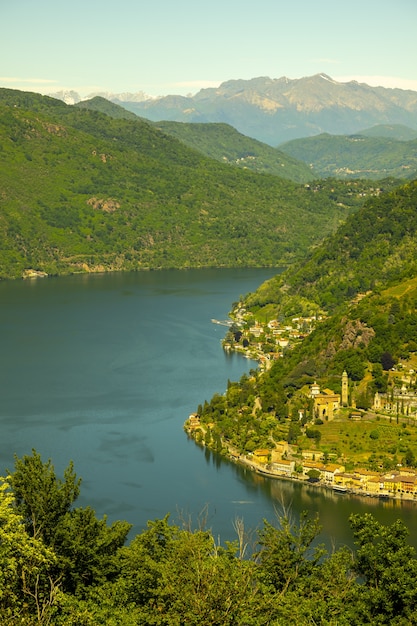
86	546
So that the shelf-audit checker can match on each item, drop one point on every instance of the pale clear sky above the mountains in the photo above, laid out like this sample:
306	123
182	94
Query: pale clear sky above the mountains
165	47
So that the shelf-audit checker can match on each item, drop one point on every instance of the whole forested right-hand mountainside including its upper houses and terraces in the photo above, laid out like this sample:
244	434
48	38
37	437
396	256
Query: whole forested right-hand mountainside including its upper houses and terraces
350	307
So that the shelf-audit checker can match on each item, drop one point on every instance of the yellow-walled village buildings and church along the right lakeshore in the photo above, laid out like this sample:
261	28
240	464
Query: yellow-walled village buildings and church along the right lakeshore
286	461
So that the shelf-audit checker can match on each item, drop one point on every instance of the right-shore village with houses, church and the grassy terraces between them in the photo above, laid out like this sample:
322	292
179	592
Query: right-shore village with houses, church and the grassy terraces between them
325	466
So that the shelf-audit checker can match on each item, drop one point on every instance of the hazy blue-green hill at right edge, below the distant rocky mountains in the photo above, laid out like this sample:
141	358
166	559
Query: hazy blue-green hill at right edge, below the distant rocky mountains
356	156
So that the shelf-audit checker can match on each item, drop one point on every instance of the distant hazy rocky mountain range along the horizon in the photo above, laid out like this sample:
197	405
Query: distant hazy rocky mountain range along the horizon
278	110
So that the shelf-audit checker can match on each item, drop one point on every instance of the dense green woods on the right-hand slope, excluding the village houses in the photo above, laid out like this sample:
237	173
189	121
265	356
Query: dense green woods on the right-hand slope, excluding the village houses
364	282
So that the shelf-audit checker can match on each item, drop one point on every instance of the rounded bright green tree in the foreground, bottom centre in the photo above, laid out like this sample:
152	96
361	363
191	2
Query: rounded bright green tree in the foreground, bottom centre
178	576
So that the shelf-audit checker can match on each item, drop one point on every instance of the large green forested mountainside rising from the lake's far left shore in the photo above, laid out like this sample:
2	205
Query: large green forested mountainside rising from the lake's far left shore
82	191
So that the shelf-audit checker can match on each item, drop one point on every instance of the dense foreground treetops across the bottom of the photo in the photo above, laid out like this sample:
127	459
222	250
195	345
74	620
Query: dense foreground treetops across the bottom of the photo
83	573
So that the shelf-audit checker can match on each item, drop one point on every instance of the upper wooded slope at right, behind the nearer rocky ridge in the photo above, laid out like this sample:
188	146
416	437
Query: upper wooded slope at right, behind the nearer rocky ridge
373	250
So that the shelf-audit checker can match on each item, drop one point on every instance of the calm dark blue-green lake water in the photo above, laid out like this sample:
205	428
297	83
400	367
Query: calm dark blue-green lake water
104	370
